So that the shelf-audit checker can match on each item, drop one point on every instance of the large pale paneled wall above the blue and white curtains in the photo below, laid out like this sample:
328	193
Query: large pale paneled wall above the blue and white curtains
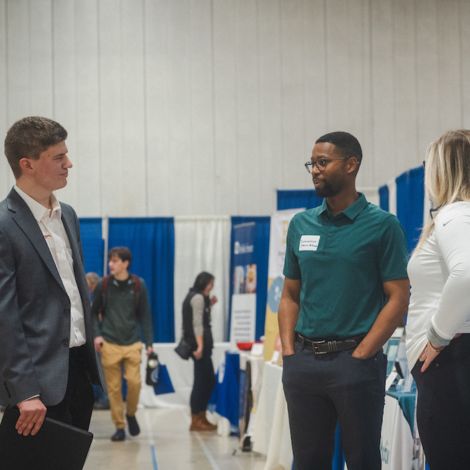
208	106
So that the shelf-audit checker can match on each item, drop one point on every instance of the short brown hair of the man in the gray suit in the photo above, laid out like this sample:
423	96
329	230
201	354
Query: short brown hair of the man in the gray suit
30	136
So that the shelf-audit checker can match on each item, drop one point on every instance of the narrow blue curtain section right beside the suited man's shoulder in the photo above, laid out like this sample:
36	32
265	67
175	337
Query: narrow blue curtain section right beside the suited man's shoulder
93	244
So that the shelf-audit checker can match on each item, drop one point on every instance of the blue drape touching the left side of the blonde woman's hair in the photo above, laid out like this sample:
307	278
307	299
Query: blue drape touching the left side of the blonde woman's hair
410	204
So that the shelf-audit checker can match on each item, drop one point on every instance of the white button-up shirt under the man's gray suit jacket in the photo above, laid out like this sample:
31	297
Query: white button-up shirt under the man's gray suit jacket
52	227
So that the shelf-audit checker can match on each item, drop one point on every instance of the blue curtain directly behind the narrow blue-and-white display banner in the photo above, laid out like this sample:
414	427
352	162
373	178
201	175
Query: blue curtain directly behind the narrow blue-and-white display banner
261	255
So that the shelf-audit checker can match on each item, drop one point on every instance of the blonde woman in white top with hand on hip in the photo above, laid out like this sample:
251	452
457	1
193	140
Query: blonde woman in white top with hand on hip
438	327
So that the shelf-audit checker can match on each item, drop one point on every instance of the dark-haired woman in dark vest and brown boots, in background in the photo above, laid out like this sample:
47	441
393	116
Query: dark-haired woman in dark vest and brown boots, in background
197	332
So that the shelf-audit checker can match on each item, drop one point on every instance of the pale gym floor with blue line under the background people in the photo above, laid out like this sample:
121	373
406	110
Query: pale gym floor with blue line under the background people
165	444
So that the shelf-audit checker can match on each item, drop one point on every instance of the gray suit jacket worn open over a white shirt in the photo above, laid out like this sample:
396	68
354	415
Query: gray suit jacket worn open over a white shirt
35	308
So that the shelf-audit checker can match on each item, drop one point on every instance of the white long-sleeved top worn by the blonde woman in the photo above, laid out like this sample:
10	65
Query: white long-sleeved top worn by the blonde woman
439	273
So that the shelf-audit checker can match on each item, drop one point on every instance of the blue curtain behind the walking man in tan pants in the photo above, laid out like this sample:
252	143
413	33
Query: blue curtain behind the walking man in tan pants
152	243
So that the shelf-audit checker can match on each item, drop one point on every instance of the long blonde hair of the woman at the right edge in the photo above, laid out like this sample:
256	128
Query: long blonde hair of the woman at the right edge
447	173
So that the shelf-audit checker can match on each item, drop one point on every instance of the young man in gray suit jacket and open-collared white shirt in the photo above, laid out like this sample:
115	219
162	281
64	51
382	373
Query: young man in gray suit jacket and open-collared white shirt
47	361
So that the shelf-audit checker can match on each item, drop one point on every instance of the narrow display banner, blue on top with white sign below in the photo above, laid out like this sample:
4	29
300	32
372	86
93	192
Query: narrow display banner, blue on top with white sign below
244	280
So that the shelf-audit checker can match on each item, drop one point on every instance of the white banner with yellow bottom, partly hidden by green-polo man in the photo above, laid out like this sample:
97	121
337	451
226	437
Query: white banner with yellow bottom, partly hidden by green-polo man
277	251
